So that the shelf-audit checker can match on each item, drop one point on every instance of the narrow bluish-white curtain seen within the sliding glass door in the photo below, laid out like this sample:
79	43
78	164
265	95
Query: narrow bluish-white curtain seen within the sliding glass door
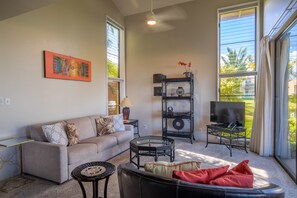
283	131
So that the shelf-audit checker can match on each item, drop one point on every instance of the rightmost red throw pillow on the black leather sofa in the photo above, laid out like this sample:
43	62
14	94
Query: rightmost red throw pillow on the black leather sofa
239	176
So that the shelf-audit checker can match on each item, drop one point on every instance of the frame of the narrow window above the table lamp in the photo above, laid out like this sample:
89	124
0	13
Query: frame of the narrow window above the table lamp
122	67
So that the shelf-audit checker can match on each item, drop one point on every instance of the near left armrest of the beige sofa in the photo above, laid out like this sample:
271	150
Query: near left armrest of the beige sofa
46	160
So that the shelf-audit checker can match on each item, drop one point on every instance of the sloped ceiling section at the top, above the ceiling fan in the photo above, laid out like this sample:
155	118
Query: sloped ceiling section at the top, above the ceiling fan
130	7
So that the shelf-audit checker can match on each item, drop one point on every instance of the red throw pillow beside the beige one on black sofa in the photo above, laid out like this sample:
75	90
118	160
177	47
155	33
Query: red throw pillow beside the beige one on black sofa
202	176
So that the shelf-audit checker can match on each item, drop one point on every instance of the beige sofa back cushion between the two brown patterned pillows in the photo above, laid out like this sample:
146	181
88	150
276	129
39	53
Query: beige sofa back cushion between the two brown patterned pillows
83	127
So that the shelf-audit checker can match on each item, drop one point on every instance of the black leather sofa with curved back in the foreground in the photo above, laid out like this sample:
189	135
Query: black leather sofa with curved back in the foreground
149	185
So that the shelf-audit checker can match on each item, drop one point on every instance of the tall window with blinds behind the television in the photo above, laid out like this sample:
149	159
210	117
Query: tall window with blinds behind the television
237	55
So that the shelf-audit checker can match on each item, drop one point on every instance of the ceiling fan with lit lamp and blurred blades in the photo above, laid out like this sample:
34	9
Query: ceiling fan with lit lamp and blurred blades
160	21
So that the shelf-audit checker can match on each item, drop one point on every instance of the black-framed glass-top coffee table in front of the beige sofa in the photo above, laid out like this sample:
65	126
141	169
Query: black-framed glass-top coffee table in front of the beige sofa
151	146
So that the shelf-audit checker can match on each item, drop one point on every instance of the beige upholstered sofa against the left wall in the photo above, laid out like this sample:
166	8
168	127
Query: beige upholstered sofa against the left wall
55	162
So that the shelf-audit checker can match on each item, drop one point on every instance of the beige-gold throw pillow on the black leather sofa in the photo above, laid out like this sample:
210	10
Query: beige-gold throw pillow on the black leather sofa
166	168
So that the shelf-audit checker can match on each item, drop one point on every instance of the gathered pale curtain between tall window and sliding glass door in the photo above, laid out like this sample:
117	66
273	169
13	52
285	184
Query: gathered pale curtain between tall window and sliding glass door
262	131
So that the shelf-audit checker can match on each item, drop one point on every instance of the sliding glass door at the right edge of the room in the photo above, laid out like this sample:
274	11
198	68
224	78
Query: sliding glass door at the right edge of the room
286	97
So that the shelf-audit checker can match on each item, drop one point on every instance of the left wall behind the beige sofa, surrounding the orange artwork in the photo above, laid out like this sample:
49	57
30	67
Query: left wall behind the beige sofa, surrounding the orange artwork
70	27
